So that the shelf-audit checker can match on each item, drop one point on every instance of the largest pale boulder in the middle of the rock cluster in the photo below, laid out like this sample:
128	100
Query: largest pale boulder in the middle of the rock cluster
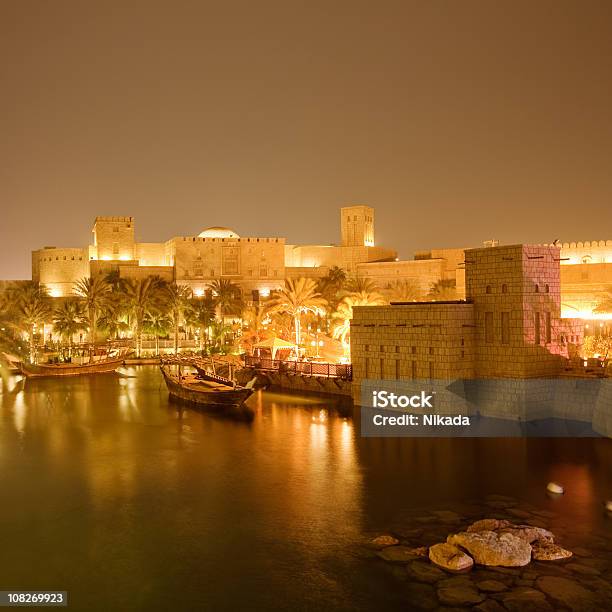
490	548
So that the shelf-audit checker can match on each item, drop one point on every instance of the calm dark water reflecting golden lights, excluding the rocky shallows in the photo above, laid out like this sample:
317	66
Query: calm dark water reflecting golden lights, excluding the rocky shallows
112	493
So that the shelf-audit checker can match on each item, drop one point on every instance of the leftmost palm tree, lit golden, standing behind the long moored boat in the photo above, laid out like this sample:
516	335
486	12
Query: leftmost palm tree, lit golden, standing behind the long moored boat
29	309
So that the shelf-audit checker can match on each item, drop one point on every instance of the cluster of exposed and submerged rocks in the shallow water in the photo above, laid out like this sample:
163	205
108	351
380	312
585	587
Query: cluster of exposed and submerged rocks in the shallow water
493	564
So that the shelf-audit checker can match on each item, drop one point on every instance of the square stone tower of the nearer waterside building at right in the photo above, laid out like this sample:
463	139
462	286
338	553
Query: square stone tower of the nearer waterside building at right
516	295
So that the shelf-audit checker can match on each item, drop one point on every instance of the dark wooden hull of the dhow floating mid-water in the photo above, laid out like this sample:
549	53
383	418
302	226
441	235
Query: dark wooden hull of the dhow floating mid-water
227	401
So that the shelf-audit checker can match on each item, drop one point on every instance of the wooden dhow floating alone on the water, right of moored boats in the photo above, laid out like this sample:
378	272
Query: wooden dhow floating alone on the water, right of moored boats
209	391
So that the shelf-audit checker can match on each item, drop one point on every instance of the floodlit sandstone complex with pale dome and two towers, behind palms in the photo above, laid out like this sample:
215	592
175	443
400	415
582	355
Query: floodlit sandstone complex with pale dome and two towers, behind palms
257	264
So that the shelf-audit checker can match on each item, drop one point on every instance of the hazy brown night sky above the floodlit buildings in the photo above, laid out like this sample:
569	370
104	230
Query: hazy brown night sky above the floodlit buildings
458	121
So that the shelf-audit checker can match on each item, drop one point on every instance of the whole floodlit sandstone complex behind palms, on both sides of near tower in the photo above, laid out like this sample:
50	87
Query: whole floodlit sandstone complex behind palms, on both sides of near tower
261	264
